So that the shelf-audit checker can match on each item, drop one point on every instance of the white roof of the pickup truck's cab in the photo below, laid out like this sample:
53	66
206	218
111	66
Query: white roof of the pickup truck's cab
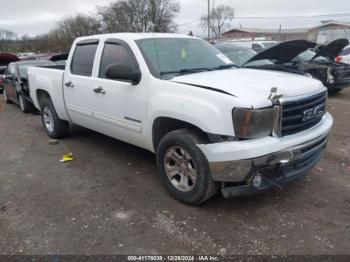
134	36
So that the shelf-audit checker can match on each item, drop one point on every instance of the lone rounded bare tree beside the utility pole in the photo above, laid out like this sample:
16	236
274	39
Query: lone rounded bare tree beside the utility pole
221	18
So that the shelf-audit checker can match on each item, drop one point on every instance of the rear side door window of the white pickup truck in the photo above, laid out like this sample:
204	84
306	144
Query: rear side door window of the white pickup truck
83	59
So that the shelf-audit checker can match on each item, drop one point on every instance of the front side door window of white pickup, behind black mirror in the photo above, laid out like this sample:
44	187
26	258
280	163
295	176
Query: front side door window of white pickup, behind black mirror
115	53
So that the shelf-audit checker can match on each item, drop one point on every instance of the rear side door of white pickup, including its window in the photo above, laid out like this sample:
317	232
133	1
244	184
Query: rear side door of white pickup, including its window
78	83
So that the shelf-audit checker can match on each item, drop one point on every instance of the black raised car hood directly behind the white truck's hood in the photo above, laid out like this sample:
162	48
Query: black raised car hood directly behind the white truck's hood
283	52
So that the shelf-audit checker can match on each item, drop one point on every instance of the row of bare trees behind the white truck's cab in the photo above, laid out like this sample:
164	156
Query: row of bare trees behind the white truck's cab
120	16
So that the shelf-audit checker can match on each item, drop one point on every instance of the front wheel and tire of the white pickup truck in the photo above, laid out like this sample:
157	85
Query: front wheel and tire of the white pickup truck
184	142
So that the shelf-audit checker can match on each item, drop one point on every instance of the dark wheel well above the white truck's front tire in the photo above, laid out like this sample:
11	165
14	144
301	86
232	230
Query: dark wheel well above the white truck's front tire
165	125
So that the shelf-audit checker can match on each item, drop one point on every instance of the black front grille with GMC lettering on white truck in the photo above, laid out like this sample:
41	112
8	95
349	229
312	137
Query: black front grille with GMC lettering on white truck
302	114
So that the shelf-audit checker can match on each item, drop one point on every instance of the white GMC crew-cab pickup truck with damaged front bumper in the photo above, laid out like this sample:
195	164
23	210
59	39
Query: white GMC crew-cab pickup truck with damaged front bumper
212	125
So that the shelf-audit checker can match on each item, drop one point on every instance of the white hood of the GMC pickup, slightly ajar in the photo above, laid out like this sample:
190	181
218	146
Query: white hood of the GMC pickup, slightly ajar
252	86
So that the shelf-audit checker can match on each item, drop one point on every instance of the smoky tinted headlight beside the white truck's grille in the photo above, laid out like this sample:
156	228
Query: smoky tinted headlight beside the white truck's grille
250	123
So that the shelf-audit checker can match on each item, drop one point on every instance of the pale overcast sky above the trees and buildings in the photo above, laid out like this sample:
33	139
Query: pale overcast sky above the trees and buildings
34	17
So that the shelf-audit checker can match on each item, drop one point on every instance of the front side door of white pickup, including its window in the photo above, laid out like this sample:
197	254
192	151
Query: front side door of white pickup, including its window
120	107
